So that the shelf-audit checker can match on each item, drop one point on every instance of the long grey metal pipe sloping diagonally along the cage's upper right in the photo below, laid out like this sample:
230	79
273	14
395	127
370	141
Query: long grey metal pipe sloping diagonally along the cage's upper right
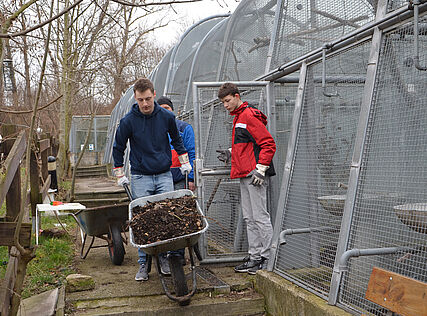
364	31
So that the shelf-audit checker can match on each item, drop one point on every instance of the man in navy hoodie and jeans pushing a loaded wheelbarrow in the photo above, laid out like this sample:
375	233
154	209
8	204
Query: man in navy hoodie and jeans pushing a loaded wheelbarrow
147	126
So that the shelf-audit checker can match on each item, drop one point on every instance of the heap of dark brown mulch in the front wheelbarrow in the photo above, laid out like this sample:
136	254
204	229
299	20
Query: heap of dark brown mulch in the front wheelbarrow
169	218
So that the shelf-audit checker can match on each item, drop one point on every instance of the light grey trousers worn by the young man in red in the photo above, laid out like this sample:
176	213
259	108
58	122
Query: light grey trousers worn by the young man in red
257	218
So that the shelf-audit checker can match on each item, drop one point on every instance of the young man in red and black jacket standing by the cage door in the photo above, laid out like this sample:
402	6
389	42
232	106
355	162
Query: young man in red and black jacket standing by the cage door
251	156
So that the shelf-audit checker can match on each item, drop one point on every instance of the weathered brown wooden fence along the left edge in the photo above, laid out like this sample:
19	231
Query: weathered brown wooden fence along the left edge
14	148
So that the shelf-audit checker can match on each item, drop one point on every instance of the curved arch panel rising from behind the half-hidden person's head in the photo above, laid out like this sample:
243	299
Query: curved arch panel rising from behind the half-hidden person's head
182	61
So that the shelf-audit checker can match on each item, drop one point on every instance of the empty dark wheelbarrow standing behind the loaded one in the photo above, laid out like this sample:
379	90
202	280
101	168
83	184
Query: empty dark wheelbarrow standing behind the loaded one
105	222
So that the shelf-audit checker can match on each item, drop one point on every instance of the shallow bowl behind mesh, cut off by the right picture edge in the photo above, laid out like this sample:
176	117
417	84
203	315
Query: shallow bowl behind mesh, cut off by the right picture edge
413	215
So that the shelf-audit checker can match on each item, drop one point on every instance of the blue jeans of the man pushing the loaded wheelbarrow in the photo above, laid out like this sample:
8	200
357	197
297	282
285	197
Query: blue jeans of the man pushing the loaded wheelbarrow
145	185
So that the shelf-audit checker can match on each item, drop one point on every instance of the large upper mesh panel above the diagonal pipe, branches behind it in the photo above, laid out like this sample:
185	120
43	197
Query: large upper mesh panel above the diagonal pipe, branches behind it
305	26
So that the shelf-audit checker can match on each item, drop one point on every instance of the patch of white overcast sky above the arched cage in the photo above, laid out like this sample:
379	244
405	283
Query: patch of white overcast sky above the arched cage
187	14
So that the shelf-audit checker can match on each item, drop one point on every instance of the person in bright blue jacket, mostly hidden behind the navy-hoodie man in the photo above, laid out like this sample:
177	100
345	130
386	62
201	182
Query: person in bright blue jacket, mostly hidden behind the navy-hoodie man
187	135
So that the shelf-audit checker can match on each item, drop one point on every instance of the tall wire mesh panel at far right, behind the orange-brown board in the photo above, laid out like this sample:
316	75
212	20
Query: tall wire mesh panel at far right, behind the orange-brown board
391	199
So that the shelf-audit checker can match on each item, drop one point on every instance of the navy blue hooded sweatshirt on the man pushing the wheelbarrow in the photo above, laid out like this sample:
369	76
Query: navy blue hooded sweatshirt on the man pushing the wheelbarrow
150	151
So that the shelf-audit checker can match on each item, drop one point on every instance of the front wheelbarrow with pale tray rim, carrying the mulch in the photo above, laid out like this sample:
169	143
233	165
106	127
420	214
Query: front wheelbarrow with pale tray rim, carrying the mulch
182	296
